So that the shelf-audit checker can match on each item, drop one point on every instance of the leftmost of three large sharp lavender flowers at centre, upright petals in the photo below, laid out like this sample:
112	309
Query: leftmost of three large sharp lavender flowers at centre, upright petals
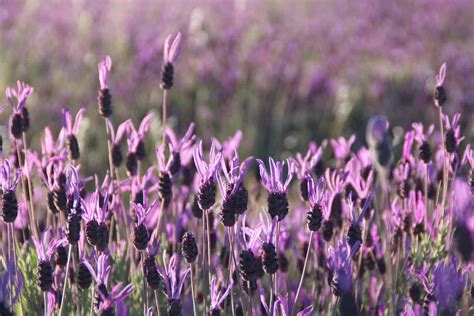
208	173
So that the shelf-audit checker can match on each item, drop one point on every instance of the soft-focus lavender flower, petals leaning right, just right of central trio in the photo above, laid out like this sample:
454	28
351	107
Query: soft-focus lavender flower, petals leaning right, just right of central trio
305	165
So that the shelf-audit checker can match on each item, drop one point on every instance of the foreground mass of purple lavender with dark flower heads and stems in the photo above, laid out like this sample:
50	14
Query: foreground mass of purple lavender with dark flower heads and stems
362	233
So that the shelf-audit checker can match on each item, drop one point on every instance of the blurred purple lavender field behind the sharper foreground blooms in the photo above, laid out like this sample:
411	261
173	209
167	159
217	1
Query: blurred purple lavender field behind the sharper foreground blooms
284	72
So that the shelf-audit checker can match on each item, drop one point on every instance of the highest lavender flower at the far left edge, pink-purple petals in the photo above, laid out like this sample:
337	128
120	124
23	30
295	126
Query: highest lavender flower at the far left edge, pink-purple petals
20	121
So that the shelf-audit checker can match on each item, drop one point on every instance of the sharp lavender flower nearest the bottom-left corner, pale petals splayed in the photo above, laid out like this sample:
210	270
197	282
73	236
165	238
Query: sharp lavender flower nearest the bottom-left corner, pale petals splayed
45	248
